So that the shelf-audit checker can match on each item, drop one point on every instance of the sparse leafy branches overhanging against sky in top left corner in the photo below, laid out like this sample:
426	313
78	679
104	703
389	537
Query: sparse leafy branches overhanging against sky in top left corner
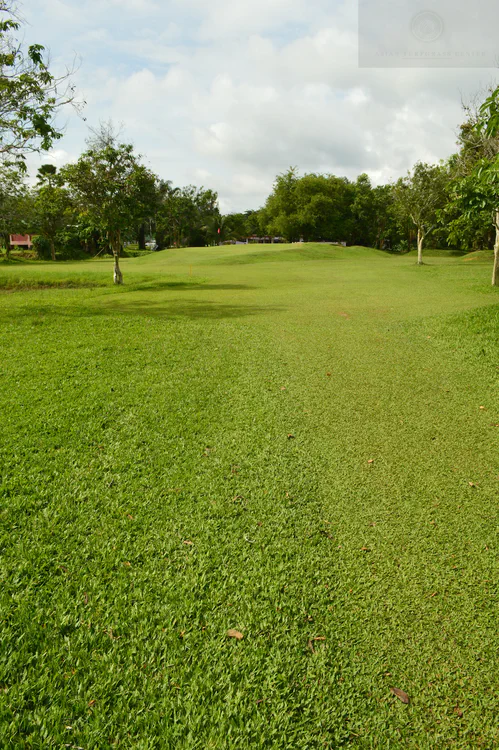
30	94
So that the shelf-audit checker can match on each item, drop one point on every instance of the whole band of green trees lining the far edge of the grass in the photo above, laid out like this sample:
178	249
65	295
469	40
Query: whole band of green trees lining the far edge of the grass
110	197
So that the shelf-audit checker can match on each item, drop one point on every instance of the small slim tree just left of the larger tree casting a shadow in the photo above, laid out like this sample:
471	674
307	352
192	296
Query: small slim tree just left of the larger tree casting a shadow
52	205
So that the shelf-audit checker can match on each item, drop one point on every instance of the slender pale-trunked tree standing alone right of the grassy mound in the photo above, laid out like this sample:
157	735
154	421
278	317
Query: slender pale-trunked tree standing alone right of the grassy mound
420	195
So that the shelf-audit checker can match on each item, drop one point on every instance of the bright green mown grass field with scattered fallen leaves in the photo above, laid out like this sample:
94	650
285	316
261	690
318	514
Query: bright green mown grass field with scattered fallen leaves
299	443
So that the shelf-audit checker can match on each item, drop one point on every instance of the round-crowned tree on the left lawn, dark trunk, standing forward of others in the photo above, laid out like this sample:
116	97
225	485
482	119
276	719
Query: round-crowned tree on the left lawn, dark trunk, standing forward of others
113	188
